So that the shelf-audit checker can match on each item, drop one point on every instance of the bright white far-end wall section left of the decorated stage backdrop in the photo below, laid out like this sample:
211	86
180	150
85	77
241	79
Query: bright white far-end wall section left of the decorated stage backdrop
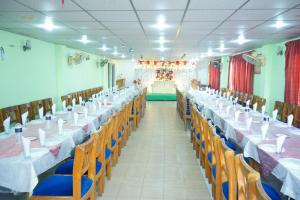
126	69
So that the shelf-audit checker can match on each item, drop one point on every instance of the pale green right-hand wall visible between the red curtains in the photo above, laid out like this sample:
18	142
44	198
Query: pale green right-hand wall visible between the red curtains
270	83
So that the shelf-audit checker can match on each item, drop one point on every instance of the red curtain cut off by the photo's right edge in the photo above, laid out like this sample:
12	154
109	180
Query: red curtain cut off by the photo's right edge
292	72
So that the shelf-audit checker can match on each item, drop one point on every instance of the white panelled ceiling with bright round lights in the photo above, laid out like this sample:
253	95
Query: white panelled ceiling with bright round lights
194	25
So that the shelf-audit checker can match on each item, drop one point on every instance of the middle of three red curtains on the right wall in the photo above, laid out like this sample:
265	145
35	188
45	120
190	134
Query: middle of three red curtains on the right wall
240	75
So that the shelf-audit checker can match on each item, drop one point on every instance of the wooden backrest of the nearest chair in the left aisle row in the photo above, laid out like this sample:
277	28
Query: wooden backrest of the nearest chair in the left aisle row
84	161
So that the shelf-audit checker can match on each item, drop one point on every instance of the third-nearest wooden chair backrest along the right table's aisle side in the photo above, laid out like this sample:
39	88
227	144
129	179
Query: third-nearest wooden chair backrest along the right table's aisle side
226	157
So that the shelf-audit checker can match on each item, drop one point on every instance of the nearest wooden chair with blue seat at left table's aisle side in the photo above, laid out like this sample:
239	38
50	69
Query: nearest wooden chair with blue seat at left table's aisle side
75	186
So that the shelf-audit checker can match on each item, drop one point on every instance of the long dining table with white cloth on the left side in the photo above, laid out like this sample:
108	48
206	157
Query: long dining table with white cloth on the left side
20	174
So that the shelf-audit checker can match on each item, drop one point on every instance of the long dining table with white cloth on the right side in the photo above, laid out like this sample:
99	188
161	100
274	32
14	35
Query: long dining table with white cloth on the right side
284	165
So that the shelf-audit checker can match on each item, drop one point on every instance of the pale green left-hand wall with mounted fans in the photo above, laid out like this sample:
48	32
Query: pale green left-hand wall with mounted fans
43	71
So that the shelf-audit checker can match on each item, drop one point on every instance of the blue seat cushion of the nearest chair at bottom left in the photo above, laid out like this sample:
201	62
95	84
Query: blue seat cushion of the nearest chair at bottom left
61	186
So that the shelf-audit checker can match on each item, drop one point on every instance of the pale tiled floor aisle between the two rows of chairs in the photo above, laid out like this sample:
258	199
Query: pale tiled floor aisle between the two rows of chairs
158	161
